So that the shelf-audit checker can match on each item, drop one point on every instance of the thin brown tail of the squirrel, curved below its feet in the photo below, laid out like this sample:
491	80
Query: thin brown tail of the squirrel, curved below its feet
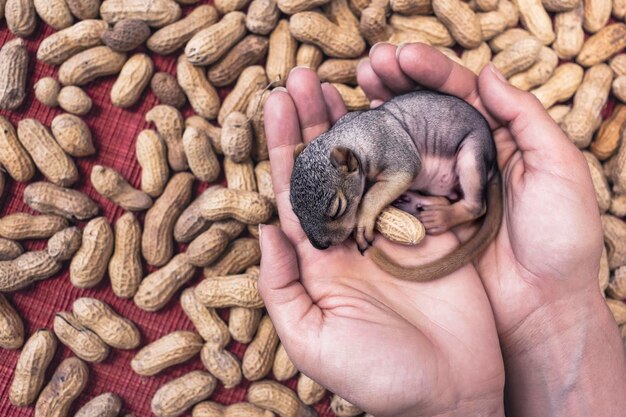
460	256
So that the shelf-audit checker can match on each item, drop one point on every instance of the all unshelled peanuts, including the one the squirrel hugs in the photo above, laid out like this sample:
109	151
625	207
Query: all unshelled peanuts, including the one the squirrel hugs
540	46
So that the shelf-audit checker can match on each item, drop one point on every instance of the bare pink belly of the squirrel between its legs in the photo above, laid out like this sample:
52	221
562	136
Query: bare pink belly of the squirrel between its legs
437	177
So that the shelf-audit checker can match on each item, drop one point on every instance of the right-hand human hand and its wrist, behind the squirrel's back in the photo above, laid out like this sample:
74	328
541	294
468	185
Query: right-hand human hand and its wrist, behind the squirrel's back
541	271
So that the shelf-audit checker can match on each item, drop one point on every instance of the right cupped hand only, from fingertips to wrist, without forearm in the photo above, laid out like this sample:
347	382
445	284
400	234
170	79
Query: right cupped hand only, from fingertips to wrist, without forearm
549	246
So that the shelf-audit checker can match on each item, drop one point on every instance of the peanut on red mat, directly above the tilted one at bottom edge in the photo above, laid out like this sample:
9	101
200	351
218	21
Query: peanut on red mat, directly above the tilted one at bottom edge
172	349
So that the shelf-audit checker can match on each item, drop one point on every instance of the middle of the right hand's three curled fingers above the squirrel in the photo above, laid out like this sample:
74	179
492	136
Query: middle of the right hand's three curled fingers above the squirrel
386	65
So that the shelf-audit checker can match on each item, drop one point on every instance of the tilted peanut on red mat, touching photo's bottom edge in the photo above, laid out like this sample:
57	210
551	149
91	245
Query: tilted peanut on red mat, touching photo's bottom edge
178	395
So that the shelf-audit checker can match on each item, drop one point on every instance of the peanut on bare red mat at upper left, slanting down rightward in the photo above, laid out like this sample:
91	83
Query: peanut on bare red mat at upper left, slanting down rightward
114	187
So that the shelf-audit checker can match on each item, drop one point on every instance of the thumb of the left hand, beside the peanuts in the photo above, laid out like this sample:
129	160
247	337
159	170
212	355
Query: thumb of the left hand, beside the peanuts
293	313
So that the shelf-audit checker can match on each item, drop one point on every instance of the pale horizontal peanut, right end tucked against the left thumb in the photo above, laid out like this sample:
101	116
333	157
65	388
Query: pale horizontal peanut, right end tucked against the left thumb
229	291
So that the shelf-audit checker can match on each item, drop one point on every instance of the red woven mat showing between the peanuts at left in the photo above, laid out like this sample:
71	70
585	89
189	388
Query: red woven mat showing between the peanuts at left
114	132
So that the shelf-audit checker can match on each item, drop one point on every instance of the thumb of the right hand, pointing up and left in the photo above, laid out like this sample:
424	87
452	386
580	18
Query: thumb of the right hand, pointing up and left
532	128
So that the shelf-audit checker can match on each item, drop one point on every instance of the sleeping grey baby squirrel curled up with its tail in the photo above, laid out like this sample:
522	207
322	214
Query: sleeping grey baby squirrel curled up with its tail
422	141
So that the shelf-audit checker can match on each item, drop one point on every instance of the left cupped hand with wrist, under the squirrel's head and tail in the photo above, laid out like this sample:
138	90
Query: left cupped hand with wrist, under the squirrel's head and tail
394	348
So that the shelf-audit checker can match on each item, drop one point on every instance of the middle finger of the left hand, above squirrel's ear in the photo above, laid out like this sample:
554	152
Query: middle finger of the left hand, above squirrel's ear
305	89
